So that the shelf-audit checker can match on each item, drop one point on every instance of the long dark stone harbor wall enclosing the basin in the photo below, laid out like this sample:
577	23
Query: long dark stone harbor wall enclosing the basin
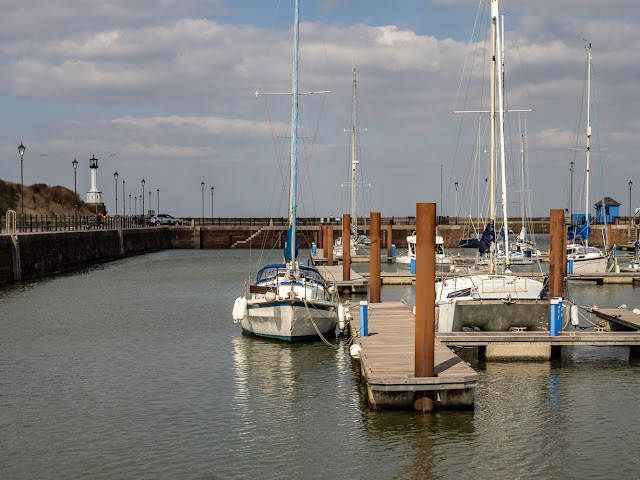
31	255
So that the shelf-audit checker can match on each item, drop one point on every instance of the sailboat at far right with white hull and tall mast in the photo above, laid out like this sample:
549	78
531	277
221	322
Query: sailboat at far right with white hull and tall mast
582	258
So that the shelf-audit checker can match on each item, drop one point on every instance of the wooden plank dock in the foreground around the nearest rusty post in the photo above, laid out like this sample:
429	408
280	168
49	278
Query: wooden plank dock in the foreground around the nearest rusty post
387	362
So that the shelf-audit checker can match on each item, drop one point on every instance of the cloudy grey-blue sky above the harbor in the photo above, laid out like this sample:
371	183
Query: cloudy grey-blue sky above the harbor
165	91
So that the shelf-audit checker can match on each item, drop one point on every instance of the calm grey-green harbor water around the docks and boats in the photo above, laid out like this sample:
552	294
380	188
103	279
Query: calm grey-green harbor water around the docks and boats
136	370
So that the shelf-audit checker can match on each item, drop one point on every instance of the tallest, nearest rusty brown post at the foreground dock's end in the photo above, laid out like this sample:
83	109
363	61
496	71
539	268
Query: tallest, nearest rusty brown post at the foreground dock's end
425	300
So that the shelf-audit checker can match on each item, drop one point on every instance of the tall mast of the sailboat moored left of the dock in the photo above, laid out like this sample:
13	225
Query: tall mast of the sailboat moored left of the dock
294	143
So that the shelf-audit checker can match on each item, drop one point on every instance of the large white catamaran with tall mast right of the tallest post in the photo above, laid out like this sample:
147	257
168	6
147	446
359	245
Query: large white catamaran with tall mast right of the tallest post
479	300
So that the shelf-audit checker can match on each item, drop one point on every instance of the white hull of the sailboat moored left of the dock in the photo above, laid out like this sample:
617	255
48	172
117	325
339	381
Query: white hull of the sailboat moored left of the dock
290	320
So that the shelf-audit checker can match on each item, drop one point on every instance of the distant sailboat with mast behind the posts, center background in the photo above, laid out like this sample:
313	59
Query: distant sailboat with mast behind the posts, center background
359	243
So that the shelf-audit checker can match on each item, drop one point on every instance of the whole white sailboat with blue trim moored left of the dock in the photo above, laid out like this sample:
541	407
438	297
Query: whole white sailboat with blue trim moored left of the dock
287	301
